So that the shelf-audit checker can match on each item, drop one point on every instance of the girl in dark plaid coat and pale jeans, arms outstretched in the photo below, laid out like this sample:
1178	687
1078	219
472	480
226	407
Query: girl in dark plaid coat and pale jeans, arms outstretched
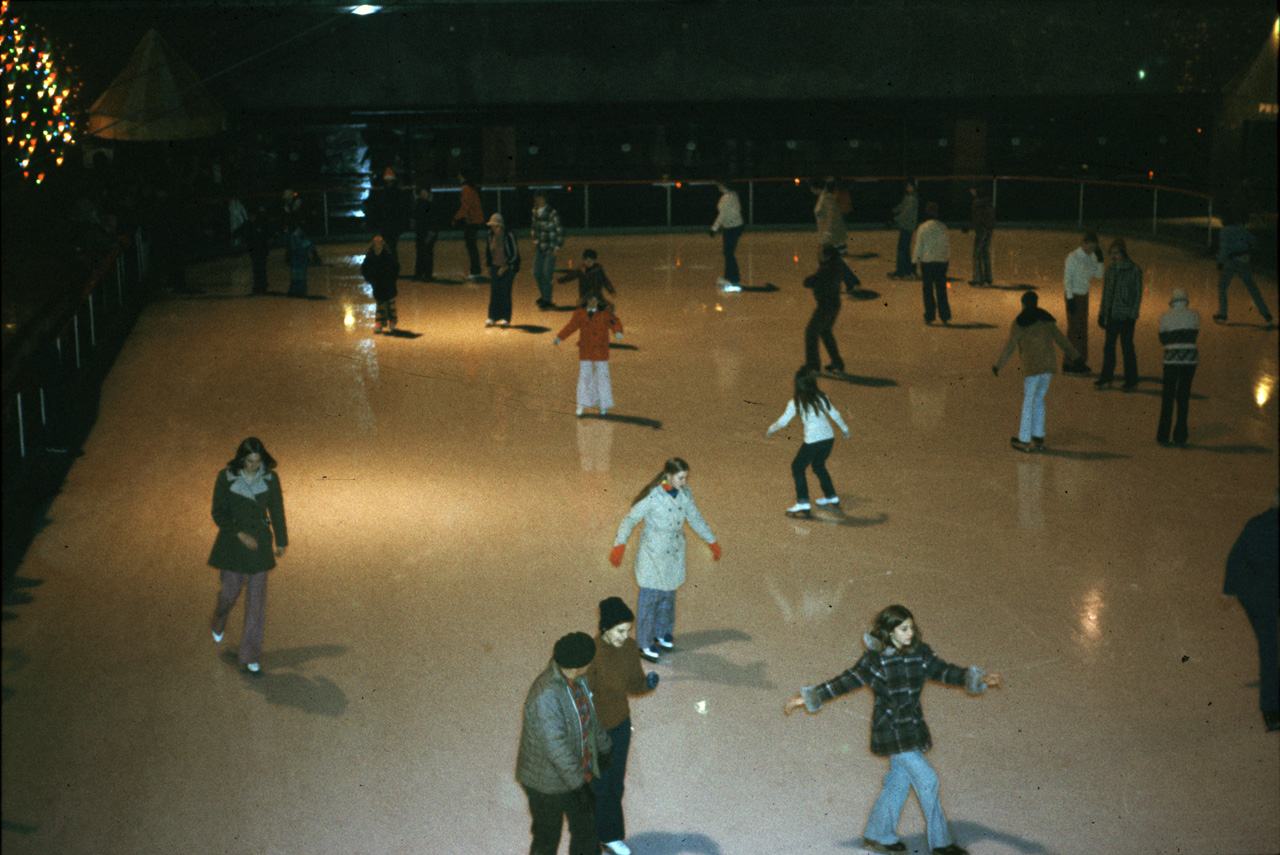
895	666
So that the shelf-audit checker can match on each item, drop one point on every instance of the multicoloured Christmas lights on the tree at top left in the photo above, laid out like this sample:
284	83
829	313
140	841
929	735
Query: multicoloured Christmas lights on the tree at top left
39	98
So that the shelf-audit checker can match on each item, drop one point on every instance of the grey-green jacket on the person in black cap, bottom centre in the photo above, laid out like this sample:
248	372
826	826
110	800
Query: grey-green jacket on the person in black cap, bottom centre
551	739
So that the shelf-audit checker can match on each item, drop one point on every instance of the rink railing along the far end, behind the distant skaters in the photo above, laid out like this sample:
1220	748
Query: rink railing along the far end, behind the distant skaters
655	205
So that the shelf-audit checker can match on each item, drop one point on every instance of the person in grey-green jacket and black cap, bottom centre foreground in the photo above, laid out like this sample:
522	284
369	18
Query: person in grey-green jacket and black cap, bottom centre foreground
563	749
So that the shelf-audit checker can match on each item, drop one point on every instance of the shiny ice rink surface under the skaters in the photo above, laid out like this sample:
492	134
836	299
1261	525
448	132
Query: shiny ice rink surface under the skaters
450	518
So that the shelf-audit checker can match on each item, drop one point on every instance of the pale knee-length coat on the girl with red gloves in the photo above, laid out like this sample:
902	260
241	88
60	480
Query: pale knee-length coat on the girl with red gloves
661	555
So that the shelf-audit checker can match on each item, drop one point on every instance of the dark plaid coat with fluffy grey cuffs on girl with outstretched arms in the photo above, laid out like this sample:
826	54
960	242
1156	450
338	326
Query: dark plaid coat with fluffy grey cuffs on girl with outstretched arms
897	678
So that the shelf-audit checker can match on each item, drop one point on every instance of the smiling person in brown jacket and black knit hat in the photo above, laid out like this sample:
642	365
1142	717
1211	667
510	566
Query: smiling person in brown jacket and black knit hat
615	674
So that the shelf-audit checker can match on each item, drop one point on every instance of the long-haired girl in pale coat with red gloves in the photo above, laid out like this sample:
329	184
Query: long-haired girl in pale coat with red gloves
665	505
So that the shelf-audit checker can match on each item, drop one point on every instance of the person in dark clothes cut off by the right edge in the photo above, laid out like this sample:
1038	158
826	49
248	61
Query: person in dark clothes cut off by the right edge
1252	578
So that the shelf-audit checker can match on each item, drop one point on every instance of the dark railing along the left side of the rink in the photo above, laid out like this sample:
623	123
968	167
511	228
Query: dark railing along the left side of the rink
56	365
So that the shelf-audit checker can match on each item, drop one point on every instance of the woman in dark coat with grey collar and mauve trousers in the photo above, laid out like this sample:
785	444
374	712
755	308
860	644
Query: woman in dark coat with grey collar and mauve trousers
249	509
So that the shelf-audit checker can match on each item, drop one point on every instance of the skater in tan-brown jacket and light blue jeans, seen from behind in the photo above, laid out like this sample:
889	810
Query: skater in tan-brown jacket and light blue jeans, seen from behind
1034	335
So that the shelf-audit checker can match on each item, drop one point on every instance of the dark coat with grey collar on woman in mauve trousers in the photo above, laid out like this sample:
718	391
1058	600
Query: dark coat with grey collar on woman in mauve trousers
254	509
